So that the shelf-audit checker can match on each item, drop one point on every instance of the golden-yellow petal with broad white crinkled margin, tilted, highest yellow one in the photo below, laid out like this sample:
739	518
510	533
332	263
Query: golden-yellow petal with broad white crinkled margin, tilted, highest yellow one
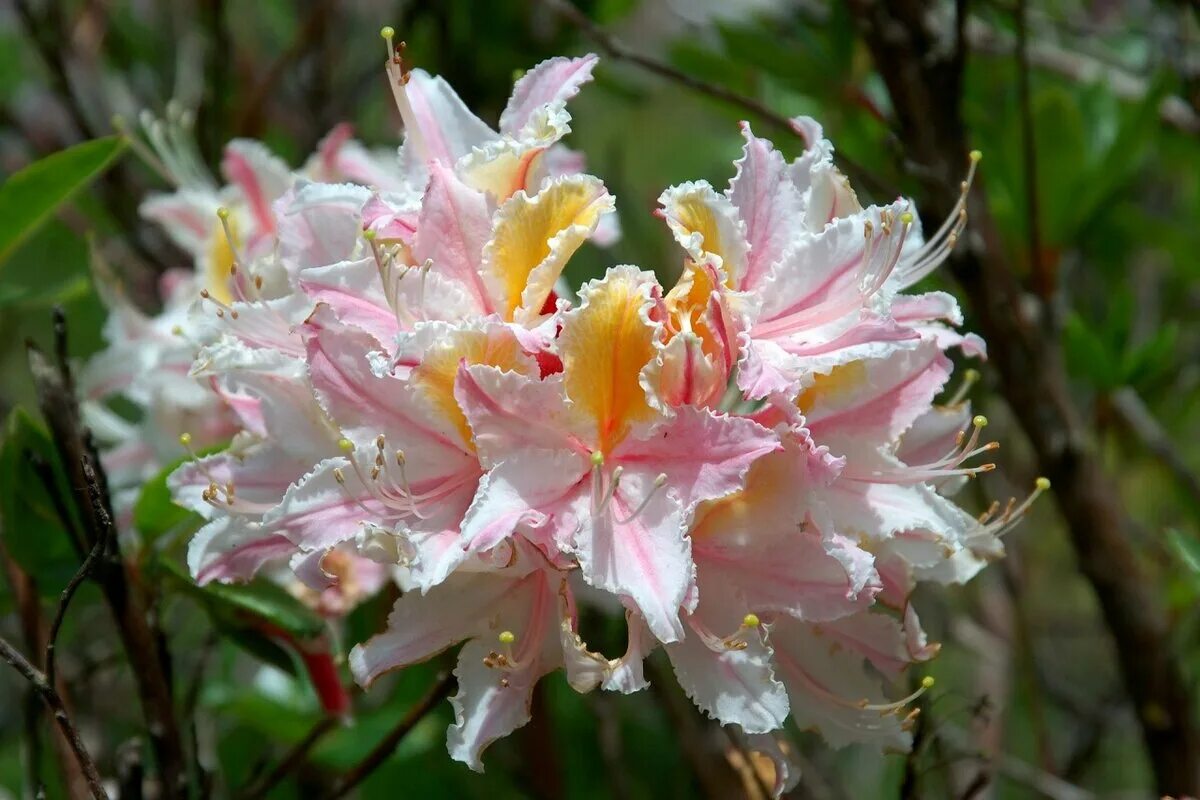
535	238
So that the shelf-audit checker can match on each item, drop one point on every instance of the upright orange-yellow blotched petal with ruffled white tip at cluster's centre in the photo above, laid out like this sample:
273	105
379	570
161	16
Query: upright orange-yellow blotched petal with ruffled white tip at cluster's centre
605	345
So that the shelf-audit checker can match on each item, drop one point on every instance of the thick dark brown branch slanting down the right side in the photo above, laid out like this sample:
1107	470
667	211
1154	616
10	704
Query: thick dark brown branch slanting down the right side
926	95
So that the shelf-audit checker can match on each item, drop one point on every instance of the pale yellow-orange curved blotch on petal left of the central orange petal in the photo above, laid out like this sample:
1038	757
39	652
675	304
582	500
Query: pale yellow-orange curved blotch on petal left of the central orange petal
436	375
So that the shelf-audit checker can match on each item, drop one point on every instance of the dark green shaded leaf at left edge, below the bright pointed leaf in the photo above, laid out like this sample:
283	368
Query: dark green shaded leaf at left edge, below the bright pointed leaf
34	533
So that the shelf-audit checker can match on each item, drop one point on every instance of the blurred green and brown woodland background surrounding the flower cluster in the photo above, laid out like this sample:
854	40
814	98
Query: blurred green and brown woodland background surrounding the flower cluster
1070	670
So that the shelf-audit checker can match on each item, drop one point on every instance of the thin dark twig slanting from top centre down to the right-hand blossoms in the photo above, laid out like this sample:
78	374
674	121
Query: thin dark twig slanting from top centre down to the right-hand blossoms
617	51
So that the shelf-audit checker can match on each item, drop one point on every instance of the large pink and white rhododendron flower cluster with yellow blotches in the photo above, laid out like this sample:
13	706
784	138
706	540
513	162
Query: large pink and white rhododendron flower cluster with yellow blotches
753	464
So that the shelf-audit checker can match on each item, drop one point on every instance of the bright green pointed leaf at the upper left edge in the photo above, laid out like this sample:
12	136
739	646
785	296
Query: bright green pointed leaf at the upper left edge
29	197
